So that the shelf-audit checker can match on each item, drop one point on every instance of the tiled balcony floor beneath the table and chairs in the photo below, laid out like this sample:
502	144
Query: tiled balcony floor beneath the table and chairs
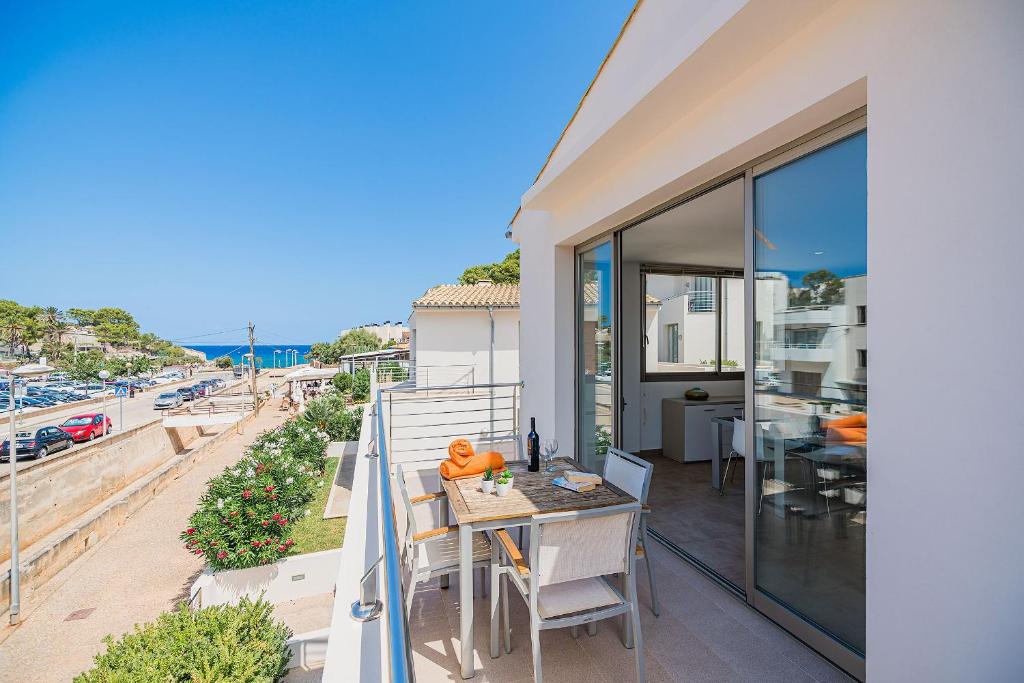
704	634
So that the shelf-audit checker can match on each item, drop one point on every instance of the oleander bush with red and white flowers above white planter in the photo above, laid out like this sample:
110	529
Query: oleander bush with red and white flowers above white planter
245	518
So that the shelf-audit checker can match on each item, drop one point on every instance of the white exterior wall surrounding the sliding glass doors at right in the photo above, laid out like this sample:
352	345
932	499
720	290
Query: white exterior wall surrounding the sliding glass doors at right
943	84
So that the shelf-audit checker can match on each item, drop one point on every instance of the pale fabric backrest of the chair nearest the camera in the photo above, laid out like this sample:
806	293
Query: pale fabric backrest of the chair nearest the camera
569	546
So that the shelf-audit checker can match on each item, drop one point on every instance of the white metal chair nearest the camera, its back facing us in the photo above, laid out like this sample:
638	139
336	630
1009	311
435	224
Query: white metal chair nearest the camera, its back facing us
566	584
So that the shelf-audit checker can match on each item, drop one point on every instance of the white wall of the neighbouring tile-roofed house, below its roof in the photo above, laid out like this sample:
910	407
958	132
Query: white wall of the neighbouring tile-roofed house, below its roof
453	347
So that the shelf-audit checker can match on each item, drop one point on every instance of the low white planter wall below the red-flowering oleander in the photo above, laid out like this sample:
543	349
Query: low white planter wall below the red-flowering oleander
289	579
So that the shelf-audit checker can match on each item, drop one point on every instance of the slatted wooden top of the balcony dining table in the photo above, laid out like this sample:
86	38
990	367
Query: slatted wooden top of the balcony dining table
533	493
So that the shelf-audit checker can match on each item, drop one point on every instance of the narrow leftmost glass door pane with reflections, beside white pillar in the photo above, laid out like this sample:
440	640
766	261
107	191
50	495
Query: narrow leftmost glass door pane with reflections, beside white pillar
595	358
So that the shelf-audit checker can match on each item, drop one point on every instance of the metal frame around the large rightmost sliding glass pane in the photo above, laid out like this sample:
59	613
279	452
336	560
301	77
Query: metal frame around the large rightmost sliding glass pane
800	627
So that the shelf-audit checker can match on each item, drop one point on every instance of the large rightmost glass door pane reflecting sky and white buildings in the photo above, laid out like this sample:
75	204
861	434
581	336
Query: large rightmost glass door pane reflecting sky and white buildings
812	386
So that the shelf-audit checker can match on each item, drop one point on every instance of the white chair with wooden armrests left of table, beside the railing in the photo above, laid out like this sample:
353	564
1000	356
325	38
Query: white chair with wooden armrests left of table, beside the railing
435	552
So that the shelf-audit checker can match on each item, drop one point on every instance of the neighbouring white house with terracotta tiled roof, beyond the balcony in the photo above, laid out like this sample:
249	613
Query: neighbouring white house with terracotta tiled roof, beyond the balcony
466	334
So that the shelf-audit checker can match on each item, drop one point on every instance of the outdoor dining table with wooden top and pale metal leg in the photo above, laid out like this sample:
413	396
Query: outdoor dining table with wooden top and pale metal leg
533	494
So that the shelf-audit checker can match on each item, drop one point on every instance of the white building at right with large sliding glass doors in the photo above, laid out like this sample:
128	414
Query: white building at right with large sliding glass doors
758	144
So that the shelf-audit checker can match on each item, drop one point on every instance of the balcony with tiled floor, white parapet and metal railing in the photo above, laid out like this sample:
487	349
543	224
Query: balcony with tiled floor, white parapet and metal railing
704	632
